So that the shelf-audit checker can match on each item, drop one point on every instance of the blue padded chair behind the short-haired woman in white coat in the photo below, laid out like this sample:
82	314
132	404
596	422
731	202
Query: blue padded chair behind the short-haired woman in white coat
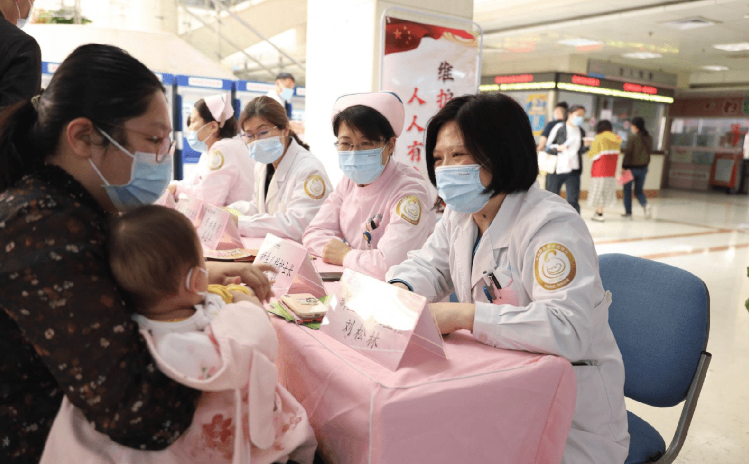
660	317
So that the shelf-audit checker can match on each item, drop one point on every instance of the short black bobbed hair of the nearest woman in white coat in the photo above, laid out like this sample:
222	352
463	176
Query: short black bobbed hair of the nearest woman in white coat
497	133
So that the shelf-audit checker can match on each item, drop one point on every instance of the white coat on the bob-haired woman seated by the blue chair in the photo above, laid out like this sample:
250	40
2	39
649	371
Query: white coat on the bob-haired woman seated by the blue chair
554	302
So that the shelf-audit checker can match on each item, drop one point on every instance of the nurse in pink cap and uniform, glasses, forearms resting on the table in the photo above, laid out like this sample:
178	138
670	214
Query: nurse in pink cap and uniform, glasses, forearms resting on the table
381	209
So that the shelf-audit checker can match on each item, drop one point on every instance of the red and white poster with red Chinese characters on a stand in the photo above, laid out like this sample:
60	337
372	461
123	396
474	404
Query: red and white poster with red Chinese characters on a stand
427	65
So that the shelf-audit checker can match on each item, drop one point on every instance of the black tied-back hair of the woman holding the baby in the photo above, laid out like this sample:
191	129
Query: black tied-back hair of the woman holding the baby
100	82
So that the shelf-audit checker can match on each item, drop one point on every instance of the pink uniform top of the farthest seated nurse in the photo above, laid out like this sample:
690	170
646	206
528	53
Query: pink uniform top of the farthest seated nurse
224	174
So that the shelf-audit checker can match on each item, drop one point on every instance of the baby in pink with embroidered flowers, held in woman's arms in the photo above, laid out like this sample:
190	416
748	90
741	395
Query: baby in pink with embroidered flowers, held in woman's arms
196	338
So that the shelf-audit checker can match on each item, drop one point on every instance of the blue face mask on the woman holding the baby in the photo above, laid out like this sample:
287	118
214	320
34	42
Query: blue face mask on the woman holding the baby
148	179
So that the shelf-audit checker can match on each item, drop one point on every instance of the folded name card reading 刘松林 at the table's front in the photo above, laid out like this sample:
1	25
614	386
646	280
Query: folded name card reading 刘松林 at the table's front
380	321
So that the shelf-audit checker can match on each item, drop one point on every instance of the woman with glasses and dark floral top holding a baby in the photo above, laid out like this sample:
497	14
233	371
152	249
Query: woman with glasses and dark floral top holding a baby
97	143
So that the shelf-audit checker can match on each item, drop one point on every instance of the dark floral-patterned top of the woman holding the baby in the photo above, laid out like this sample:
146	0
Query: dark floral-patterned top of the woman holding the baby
65	329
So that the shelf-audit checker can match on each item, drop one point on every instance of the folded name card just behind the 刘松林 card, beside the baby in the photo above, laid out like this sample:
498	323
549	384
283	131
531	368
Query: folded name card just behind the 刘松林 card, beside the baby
296	273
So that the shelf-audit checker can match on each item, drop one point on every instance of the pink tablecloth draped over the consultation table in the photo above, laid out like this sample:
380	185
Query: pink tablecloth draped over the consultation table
481	405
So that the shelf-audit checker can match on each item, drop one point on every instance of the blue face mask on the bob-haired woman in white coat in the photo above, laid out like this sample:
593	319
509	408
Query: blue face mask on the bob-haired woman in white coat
461	188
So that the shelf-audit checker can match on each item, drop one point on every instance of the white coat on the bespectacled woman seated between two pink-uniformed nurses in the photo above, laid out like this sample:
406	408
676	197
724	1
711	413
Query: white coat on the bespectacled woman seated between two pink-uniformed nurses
296	192
